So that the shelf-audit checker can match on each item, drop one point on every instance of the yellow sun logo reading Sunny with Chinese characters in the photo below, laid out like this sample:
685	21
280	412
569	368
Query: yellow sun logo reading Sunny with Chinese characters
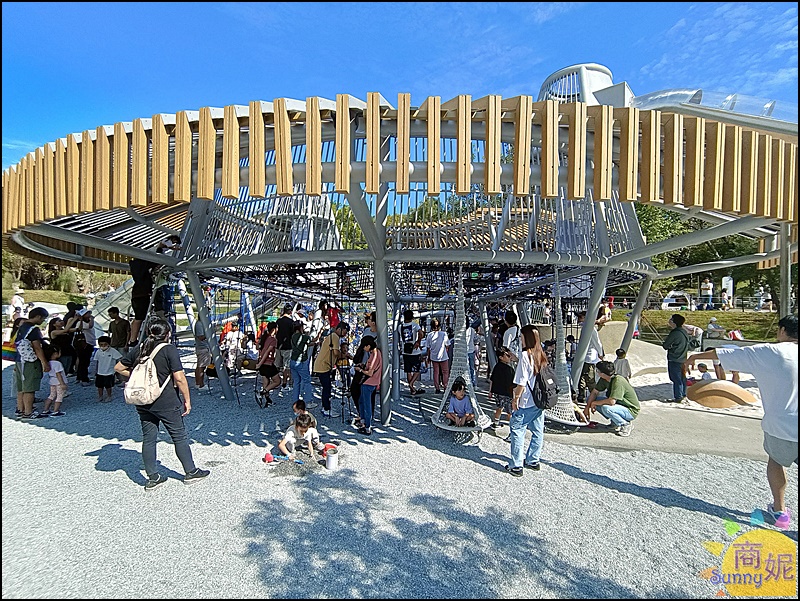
757	563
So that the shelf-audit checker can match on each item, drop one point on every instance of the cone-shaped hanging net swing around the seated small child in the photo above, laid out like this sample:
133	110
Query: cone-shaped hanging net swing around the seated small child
460	369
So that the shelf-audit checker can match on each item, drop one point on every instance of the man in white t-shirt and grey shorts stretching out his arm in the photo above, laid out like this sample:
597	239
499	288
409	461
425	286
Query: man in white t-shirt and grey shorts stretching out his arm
775	369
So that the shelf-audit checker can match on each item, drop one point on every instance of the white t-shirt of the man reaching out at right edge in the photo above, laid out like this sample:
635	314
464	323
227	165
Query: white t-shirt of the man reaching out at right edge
774	366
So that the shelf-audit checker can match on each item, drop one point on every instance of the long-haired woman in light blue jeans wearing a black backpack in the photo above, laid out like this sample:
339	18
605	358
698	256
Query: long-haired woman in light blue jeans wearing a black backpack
525	414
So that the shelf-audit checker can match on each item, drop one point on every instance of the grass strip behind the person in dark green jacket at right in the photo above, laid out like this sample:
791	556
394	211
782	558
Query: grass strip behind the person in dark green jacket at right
754	325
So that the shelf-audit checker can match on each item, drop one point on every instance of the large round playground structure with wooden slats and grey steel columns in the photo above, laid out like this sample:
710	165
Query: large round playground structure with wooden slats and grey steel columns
394	205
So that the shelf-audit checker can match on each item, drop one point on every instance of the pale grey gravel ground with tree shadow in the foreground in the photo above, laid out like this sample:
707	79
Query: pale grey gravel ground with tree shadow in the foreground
410	513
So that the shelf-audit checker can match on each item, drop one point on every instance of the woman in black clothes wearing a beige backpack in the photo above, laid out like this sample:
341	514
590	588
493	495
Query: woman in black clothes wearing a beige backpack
168	409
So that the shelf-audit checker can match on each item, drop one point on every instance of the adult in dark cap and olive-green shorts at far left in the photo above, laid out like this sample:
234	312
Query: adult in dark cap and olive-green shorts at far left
32	364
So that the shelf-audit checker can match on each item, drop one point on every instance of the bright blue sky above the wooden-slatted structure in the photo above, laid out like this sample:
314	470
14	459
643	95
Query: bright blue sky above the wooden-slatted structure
68	67
